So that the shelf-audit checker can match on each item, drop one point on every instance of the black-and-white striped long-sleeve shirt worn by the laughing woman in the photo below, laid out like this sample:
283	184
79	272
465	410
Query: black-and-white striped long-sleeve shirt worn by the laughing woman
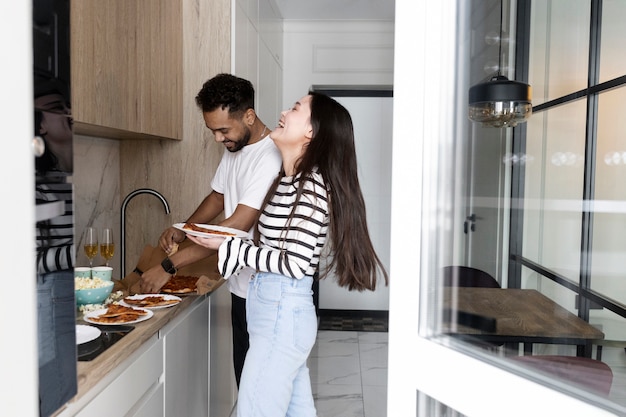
291	249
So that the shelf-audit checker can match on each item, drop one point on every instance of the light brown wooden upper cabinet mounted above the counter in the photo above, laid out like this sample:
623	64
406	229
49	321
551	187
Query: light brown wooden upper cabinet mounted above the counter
127	68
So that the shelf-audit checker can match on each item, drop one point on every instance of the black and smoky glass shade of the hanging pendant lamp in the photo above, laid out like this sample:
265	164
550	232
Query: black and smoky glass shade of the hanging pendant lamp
500	102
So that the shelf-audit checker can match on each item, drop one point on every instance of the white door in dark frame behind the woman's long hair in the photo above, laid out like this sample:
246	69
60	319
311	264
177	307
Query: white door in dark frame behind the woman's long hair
371	117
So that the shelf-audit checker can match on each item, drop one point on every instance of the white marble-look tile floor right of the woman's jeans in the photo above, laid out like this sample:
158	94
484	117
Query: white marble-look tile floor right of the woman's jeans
349	374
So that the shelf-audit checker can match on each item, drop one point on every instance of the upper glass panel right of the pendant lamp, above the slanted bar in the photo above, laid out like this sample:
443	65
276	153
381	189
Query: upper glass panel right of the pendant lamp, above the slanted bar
559	44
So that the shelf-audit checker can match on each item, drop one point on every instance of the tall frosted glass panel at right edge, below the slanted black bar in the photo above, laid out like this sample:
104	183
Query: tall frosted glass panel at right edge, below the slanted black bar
609	234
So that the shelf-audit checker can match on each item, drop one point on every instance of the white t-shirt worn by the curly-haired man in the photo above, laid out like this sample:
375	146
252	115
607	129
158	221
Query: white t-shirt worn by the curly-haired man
244	177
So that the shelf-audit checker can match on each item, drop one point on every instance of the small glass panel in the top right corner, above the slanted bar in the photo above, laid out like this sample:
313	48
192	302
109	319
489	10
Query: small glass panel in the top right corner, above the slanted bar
612	62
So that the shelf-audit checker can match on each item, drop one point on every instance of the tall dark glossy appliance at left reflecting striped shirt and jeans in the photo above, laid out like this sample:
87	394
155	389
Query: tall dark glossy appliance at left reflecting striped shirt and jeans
53	140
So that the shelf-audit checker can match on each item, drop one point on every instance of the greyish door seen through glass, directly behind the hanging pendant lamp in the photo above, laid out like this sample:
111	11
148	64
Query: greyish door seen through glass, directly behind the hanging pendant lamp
484	213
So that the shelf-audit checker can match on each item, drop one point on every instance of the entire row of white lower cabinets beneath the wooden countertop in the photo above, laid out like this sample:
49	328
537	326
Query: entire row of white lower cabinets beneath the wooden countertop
169	375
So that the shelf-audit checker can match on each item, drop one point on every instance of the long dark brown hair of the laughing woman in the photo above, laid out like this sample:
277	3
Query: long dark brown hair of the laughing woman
332	153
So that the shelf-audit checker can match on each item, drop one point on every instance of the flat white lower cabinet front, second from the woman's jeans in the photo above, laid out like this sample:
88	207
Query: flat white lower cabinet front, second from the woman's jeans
186	362
